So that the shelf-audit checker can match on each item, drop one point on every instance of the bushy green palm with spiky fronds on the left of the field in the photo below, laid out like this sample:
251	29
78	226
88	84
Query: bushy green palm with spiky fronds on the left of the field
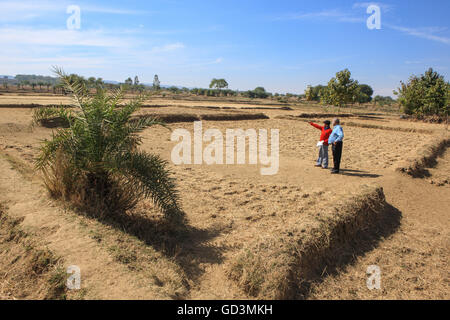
95	162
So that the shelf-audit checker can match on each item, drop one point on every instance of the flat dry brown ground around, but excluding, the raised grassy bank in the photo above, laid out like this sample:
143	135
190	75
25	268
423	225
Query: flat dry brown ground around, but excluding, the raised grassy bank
229	206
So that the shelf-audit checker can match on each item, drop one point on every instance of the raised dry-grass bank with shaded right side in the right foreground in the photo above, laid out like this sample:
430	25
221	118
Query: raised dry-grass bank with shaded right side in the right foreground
283	267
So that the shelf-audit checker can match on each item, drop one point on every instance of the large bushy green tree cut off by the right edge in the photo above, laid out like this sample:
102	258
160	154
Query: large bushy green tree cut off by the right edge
427	94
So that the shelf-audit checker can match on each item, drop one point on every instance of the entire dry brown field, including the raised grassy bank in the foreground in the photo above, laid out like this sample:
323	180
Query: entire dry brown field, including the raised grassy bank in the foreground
248	235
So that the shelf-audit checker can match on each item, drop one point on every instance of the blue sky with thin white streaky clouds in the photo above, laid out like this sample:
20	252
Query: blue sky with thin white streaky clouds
280	45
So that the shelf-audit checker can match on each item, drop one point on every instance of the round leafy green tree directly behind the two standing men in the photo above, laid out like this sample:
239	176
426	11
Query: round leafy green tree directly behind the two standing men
342	89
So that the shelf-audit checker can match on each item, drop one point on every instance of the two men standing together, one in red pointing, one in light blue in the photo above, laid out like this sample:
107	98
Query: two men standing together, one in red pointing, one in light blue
333	137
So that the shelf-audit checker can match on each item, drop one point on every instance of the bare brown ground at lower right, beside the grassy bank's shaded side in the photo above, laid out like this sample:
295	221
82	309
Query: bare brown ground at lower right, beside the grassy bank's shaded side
414	261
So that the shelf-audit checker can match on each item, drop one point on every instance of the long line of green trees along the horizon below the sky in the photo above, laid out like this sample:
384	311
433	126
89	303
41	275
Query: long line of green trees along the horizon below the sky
424	95
